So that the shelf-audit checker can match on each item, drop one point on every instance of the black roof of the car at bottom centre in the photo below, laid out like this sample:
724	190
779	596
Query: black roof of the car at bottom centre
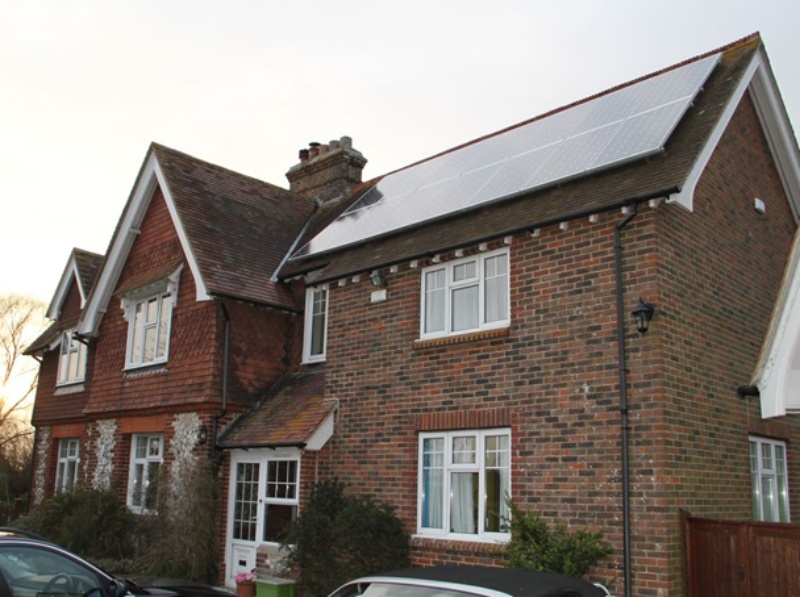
513	582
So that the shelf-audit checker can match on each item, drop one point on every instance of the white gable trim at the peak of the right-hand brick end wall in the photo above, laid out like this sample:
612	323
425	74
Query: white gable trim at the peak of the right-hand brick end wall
760	82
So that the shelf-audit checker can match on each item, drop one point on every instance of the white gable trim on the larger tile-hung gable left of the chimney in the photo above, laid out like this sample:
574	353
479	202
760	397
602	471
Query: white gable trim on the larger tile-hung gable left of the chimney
150	178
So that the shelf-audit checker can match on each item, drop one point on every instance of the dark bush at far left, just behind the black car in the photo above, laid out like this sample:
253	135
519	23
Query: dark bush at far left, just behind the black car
92	523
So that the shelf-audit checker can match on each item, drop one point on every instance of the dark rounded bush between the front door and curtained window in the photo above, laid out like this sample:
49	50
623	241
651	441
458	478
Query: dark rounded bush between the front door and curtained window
338	537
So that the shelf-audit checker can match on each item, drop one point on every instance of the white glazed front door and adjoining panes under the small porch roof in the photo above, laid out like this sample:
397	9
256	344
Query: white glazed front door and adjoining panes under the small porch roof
263	499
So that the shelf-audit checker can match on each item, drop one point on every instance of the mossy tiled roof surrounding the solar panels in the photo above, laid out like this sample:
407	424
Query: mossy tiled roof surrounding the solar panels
594	193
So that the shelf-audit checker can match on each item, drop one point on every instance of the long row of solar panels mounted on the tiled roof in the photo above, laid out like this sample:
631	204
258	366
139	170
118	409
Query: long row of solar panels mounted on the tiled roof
627	124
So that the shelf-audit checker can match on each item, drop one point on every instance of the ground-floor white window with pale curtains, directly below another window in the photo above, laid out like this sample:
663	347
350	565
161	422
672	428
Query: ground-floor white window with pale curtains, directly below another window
464	480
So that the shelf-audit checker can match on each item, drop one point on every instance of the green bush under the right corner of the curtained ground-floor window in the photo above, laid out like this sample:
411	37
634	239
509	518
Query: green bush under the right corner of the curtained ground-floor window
534	546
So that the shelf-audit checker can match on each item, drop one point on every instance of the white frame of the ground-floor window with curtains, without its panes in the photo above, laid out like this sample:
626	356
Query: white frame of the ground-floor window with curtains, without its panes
448	468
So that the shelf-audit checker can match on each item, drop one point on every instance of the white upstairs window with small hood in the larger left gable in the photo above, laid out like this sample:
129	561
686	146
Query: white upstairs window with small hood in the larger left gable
149	315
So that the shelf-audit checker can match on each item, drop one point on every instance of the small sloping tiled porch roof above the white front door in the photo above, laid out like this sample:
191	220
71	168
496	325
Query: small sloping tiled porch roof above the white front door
289	416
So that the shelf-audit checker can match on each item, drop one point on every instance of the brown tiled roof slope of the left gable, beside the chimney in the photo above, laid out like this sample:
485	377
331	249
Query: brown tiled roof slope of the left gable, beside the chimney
239	228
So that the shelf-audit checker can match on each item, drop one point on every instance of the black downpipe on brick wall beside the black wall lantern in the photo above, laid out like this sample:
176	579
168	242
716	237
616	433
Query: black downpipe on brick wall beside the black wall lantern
623	398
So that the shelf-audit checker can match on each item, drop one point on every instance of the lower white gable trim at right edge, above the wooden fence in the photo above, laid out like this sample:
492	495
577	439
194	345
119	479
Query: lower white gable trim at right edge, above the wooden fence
778	371
